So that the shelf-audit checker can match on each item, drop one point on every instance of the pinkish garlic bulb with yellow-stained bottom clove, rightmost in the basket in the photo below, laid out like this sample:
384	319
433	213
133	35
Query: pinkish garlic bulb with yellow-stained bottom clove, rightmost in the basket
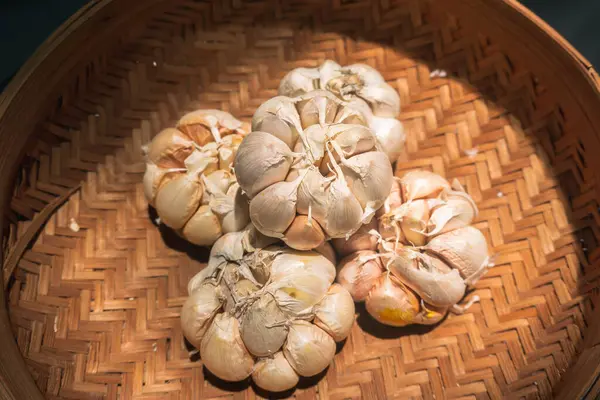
415	261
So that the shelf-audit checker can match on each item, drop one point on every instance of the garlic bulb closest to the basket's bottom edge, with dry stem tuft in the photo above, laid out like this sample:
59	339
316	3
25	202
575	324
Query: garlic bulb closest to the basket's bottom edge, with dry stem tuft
264	310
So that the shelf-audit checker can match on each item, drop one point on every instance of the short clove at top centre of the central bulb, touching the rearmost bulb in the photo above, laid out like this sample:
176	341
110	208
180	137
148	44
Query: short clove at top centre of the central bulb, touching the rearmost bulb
317	107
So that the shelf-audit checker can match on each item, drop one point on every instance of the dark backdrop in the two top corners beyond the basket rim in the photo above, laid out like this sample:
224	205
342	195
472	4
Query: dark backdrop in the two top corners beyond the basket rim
25	24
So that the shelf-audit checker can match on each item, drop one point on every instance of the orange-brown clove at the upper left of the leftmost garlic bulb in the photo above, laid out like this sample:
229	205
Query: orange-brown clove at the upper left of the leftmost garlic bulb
169	148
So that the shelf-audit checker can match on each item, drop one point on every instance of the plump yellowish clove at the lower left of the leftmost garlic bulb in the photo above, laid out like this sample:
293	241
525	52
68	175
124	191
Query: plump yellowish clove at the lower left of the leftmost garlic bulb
179	199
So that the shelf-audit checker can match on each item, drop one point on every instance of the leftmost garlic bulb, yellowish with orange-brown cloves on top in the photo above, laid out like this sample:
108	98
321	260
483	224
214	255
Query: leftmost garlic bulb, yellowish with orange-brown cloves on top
189	178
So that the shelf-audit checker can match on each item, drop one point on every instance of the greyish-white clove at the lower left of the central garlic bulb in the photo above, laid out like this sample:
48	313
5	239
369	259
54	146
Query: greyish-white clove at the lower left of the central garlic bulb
273	209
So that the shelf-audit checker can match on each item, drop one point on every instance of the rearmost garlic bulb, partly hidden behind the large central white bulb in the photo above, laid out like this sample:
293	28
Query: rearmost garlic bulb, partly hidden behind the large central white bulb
363	88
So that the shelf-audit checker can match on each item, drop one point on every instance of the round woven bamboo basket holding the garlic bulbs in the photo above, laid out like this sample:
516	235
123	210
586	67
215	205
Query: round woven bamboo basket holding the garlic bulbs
491	96
